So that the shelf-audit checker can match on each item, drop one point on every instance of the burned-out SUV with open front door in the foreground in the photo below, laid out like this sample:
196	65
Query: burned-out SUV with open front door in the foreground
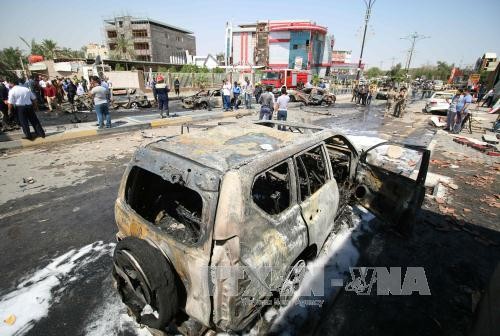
201	215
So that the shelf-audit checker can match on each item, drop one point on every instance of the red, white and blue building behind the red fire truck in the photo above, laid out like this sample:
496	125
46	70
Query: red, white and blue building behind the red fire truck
301	45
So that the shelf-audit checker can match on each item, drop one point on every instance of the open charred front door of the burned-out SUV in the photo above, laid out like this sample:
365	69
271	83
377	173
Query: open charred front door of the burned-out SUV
390	181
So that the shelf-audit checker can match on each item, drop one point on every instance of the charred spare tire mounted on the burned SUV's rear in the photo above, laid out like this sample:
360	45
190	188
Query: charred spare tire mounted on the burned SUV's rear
144	277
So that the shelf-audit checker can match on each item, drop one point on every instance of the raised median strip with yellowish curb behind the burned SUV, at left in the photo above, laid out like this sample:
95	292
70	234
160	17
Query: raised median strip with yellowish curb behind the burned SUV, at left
66	132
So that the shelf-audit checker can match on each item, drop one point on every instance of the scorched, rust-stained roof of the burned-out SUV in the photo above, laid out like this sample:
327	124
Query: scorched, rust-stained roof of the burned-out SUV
231	146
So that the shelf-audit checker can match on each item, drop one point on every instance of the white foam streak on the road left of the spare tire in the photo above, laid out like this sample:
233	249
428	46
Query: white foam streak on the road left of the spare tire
32	298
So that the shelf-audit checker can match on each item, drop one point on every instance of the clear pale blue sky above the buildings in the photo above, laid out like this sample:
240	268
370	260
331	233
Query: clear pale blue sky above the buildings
460	31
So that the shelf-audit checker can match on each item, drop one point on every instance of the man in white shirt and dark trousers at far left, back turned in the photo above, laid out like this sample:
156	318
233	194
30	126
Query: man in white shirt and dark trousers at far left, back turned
22	99
